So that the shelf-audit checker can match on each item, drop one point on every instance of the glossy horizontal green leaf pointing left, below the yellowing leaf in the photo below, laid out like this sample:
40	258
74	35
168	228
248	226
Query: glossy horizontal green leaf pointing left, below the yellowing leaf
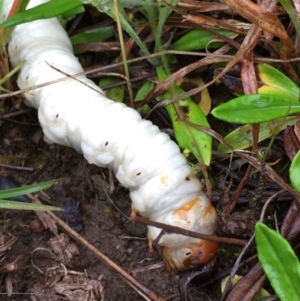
256	108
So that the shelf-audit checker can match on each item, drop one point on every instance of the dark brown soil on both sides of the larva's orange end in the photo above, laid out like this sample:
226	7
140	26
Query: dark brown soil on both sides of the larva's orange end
41	266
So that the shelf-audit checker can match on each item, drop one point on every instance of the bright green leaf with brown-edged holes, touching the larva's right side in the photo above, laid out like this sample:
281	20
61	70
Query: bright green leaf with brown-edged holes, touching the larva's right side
198	142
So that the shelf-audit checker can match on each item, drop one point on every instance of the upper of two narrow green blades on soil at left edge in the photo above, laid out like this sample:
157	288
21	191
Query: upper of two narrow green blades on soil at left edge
9	193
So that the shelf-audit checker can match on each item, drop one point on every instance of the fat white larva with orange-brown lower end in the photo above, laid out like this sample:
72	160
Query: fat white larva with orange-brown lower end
109	134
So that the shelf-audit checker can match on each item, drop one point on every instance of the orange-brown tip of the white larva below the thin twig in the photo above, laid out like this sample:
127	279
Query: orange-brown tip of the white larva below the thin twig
190	256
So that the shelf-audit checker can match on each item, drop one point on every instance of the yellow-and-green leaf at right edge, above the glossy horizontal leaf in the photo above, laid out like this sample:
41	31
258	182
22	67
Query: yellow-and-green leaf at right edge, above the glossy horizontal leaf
274	80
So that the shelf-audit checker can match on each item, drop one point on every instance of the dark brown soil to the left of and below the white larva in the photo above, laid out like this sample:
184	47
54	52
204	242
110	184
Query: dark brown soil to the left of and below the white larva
38	272
